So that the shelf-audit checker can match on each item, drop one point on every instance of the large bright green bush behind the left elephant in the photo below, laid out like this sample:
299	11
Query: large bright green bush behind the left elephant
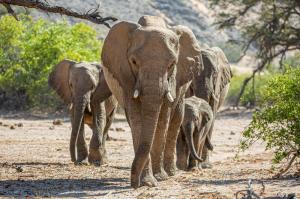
28	51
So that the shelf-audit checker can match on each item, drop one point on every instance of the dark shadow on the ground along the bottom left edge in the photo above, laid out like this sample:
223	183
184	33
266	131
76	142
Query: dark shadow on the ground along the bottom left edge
61	187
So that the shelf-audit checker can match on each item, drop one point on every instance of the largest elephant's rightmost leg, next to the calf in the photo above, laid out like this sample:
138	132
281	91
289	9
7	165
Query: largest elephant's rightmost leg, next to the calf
173	131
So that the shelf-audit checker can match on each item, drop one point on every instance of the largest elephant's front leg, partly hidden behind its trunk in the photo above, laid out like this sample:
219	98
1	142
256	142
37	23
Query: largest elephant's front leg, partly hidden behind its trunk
135	123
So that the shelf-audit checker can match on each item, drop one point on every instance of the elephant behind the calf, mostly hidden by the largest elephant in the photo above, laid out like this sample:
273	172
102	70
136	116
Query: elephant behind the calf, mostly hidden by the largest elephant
212	85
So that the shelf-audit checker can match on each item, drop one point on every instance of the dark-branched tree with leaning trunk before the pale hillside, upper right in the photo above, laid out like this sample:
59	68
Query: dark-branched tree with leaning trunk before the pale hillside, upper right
271	26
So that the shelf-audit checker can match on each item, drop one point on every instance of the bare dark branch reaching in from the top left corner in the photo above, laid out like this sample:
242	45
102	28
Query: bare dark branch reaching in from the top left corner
93	16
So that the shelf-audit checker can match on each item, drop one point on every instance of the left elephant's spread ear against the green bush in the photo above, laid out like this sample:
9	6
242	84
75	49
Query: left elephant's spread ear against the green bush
59	79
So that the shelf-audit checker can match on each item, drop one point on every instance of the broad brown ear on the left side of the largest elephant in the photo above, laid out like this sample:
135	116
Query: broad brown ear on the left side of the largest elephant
116	67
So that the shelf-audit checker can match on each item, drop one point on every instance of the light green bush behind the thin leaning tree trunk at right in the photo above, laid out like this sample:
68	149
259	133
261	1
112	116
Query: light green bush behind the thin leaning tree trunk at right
249	98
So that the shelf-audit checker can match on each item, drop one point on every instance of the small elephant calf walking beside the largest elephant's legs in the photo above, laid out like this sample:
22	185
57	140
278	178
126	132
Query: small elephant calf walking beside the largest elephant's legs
194	130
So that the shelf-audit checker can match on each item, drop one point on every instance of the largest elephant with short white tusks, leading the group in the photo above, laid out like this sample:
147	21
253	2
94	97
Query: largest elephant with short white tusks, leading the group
148	67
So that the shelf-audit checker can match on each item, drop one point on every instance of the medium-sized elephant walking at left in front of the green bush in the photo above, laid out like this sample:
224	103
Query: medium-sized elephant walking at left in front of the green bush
82	86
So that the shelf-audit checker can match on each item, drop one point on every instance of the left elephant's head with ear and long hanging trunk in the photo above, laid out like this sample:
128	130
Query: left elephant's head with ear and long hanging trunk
75	84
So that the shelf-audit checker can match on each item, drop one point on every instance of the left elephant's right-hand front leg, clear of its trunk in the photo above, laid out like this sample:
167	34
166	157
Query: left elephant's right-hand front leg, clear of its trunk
97	150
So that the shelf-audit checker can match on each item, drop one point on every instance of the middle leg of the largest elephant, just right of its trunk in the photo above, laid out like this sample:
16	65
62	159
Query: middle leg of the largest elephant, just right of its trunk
158	146
